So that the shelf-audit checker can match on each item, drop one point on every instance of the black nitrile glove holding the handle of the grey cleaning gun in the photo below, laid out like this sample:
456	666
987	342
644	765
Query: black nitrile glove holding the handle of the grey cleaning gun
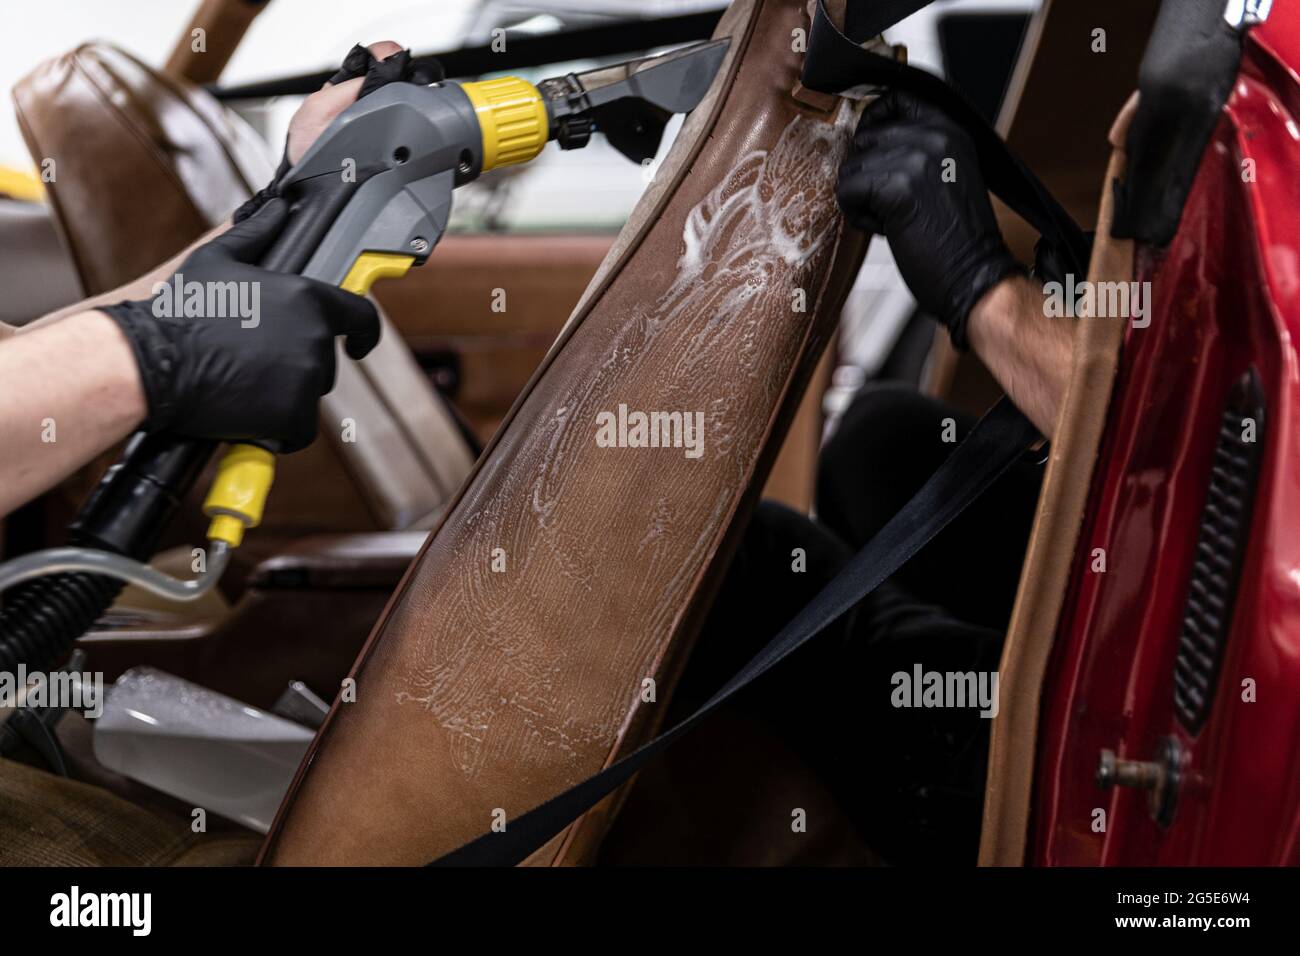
241	377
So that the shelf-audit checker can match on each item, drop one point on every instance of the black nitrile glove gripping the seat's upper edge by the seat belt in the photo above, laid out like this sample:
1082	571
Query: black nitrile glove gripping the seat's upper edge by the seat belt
943	235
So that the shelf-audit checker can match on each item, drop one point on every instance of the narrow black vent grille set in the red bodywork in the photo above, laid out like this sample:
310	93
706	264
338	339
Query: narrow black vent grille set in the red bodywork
1221	542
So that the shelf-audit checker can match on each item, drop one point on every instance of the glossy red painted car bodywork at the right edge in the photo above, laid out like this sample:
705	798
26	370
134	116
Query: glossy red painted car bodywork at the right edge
1227	305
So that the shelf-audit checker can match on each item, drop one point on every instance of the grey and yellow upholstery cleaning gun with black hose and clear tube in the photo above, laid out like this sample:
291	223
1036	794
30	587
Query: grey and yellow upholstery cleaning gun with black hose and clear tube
369	201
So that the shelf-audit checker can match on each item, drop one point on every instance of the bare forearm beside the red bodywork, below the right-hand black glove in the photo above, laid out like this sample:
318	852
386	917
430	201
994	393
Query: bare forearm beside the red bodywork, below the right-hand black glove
1028	352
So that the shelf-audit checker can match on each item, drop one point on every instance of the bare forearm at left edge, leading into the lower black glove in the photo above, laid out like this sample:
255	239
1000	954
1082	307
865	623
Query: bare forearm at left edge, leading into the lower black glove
68	392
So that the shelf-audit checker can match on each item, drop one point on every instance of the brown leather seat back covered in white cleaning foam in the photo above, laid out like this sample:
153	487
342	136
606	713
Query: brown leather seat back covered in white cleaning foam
484	689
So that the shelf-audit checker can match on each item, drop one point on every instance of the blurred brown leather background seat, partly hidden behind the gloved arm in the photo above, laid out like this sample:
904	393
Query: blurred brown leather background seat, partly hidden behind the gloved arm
142	166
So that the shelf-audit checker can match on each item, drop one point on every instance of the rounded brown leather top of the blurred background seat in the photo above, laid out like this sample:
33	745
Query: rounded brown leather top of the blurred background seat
138	165
